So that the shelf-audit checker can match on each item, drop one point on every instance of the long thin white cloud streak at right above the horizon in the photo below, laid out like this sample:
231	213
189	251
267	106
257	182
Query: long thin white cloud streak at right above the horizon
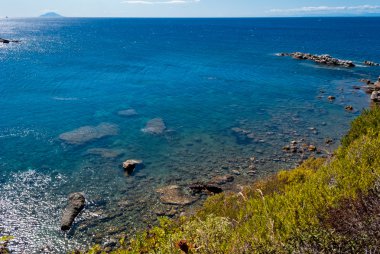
324	9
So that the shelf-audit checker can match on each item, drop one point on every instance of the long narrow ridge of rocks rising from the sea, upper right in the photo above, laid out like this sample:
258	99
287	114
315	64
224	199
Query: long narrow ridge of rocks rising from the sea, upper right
321	59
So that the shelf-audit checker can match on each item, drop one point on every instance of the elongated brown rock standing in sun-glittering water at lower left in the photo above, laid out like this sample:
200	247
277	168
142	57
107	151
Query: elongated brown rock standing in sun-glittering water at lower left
74	207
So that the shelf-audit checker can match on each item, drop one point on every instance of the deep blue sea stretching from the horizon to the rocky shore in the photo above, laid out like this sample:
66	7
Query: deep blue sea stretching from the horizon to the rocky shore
203	77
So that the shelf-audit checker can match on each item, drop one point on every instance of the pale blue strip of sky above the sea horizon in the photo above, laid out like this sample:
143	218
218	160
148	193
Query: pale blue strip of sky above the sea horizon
189	8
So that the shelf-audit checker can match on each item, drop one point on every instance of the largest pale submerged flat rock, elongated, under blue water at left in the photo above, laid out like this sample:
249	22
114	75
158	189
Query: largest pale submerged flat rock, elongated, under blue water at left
86	134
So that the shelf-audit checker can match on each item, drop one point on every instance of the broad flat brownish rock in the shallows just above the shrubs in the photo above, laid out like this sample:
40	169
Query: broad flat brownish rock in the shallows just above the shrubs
175	195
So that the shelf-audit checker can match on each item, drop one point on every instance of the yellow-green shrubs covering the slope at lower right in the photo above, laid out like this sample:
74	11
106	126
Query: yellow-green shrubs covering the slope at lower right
324	206
